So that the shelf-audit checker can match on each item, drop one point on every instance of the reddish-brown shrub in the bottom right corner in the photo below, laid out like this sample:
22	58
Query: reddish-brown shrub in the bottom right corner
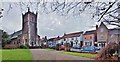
107	52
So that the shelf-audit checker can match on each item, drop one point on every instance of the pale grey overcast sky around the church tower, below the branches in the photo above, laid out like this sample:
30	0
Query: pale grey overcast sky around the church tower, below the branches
50	25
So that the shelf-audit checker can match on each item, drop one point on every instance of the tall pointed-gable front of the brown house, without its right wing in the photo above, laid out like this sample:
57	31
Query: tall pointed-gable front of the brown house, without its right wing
102	35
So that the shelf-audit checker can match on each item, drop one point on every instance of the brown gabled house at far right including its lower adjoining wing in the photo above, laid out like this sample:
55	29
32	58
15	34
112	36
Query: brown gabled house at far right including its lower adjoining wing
105	35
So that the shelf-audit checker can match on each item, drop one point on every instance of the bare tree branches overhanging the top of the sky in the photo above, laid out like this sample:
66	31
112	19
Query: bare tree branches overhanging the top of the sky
101	10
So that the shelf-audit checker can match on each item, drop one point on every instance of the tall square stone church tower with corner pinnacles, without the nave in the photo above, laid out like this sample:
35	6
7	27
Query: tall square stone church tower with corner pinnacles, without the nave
29	28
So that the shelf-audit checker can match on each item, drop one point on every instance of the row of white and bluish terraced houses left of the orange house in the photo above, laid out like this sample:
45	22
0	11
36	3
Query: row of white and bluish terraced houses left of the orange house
74	39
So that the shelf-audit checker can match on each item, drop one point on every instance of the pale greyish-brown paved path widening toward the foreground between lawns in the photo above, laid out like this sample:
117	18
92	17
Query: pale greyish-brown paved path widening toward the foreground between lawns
43	54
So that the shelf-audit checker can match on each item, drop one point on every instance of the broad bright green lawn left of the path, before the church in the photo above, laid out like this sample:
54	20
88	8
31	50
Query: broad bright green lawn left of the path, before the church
16	54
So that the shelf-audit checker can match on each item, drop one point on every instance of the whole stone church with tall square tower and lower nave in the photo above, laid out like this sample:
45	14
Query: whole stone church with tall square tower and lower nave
28	34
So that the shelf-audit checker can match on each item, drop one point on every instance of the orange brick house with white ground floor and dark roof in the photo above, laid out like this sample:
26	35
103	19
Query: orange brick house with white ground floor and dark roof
89	38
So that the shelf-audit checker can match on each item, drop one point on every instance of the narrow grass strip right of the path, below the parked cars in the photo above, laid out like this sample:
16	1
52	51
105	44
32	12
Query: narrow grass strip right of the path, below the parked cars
86	55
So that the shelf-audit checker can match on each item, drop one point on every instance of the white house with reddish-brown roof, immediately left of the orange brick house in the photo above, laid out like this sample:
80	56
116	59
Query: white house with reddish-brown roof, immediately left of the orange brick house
74	39
